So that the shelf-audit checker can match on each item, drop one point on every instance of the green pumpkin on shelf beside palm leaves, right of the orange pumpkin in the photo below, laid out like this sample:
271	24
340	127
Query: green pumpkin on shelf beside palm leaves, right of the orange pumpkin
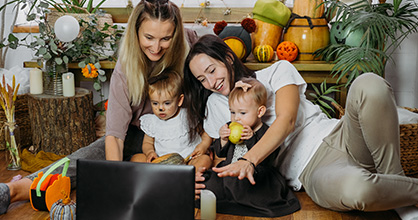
343	35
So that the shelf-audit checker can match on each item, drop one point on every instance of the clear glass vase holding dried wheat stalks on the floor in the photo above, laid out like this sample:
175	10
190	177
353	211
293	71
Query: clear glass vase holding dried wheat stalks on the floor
12	139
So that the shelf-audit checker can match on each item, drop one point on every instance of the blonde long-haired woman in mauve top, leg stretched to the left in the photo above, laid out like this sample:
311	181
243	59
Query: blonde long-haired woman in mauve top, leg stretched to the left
154	40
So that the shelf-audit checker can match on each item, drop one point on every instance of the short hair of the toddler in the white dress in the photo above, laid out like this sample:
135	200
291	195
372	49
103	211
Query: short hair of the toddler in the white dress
169	81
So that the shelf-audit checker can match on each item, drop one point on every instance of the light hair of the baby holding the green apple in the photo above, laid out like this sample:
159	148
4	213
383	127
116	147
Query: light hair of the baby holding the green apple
256	91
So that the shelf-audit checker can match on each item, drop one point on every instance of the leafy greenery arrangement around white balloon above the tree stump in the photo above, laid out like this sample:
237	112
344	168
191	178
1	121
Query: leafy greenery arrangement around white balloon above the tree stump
93	42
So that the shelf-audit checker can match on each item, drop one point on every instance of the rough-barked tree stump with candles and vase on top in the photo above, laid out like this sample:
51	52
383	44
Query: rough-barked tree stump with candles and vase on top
62	125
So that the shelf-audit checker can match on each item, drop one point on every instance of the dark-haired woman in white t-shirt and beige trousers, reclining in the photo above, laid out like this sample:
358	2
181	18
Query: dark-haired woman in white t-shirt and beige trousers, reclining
347	164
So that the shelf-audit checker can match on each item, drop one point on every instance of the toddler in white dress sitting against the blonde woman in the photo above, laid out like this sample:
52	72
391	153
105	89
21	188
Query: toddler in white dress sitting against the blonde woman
166	131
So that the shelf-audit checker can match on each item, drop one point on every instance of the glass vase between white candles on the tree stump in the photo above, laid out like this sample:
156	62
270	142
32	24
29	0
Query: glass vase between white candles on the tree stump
53	77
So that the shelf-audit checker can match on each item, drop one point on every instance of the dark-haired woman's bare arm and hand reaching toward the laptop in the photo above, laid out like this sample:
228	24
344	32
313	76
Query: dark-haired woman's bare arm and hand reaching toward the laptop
286	105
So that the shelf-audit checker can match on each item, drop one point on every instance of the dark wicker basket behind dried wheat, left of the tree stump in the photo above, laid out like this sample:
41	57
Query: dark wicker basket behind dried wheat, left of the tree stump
22	120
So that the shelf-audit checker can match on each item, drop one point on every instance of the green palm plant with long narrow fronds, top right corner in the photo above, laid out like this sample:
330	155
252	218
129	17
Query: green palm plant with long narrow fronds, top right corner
382	28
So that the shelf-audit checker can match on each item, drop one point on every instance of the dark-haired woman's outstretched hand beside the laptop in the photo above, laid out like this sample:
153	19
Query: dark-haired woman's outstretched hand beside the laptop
241	169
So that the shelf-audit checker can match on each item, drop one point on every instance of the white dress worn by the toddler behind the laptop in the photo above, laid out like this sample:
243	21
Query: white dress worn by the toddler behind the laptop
170	136
